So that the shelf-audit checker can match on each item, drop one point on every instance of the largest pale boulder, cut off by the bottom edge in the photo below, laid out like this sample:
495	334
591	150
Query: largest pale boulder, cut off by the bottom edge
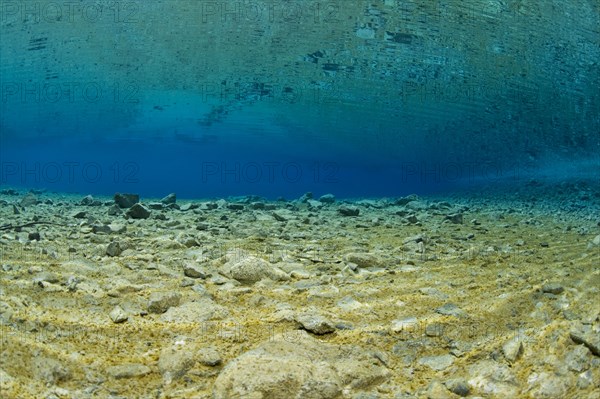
295	365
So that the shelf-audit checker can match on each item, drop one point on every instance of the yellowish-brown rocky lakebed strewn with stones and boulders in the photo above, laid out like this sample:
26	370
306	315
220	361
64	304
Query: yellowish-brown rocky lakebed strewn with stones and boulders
485	296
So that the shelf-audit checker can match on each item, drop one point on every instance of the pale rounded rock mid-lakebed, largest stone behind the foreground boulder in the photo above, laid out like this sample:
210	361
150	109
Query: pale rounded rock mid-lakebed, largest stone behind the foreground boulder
251	269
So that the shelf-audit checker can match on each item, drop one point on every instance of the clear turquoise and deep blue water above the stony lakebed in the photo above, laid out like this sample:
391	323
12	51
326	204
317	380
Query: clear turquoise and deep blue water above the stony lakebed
277	98
